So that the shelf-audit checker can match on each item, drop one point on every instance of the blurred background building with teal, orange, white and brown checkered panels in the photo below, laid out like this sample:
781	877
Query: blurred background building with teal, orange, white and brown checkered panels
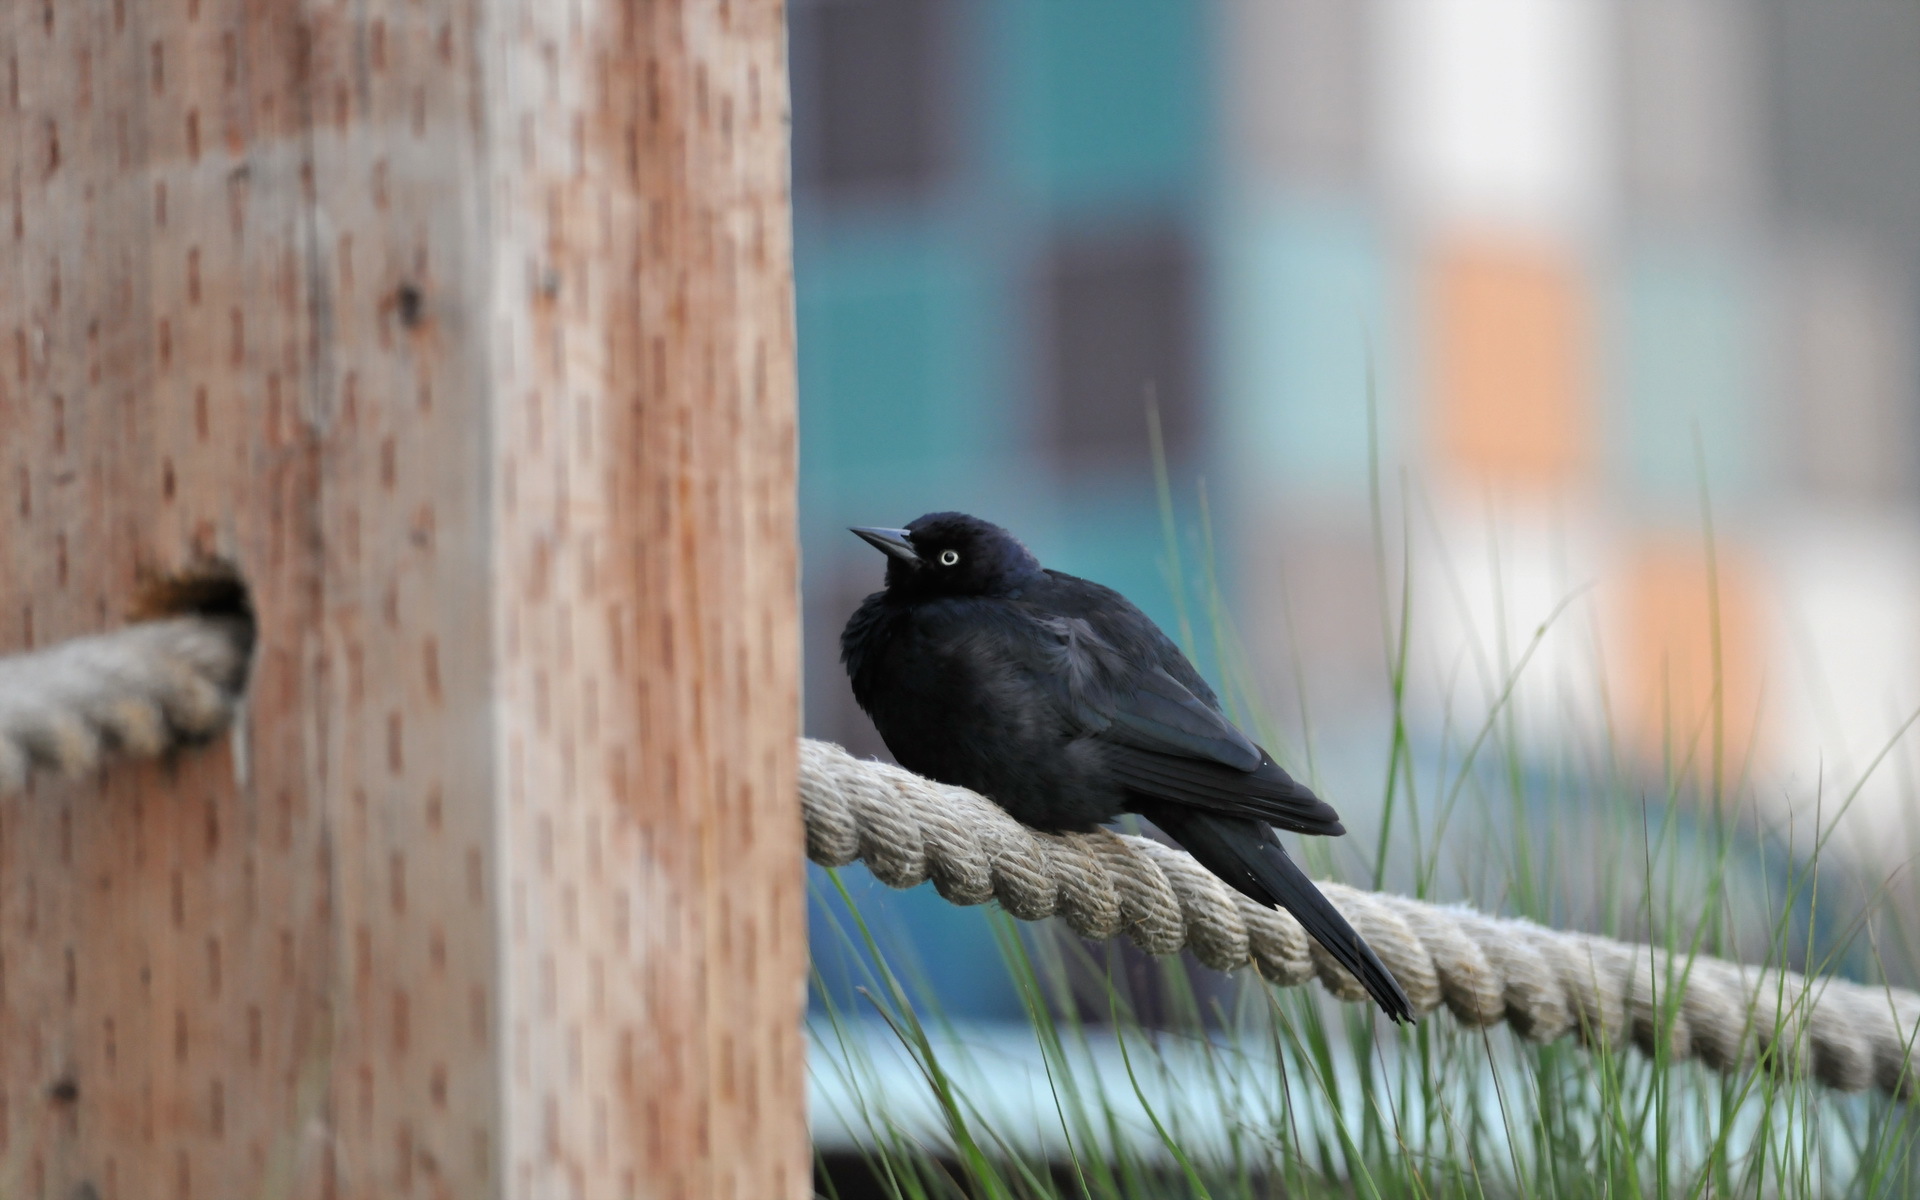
1610	302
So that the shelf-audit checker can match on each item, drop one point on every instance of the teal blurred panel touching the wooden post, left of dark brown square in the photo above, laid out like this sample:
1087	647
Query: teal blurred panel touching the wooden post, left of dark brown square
890	337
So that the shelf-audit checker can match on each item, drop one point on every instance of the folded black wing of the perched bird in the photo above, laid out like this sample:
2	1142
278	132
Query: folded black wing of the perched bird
1166	744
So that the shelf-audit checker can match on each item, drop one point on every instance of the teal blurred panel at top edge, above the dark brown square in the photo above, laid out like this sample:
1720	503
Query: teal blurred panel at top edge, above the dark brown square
1105	97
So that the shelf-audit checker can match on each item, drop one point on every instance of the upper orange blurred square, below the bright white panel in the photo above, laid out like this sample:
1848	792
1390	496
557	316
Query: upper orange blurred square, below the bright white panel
1512	364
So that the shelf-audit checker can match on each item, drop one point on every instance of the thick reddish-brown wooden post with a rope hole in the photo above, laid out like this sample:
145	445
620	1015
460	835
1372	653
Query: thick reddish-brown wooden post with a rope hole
464	331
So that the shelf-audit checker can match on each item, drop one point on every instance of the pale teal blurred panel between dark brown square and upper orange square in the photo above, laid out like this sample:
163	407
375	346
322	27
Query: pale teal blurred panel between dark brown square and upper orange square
1308	329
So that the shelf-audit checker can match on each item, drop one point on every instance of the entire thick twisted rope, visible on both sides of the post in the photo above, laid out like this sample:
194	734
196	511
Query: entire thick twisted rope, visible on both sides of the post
156	686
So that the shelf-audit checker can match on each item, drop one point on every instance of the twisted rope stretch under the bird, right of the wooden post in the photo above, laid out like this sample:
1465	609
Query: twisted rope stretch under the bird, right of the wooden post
1543	982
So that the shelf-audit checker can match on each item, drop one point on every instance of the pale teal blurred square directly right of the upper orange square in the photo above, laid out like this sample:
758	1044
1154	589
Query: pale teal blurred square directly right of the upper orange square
1683	364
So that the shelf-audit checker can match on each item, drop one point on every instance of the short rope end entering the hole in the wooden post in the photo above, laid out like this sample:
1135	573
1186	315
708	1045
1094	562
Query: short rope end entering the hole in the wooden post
141	690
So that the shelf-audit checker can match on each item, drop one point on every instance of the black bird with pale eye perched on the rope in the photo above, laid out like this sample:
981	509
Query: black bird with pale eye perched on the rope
1067	706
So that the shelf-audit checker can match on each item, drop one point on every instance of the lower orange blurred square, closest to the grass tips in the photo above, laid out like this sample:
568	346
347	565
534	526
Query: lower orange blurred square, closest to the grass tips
1694	661
